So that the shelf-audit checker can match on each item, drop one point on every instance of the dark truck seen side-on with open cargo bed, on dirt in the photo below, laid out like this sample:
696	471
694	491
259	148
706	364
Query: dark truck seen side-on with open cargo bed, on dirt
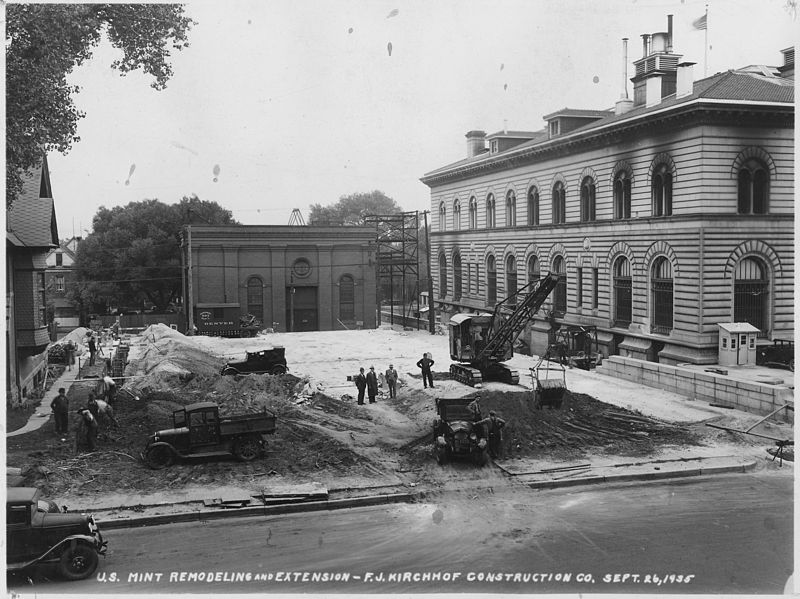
199	431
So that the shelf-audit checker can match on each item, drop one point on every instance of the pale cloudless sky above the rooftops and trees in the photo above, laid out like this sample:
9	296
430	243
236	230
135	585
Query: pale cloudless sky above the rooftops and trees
280	104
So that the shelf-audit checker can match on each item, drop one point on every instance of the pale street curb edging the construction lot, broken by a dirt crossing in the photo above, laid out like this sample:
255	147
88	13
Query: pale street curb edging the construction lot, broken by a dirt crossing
369	500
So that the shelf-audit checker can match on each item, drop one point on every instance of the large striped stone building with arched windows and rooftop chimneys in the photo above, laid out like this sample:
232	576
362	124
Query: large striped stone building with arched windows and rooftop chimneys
667	214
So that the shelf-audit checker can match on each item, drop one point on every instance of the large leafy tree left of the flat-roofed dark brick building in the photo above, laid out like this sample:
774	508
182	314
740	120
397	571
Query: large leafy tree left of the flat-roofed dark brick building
133	254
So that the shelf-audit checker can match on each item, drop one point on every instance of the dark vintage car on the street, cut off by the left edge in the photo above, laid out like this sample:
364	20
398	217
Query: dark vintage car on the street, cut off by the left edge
39	532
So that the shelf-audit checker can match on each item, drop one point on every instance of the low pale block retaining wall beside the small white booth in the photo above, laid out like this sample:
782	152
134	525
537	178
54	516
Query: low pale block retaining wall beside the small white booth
758	398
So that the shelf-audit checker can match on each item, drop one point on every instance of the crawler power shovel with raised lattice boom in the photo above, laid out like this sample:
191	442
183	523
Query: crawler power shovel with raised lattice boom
480	343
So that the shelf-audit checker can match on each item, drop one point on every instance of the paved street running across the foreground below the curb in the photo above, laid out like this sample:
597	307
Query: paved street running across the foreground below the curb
716	534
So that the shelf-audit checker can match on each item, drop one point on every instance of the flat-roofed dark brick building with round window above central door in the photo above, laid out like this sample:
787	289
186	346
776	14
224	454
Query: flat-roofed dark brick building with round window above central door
292	278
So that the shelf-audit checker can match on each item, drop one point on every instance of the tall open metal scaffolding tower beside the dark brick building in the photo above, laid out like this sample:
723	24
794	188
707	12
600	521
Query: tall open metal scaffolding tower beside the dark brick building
397	261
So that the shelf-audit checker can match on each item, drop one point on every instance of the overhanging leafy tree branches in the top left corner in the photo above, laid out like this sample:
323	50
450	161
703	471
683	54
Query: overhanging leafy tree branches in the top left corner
45	42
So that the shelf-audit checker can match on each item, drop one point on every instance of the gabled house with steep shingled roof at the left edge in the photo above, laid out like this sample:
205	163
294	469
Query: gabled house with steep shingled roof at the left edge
31	232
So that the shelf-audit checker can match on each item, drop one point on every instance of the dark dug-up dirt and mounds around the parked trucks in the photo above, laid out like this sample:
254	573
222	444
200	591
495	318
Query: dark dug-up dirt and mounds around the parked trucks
318	437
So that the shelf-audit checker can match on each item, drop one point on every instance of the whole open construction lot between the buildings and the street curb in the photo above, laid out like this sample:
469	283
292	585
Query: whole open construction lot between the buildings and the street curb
323	436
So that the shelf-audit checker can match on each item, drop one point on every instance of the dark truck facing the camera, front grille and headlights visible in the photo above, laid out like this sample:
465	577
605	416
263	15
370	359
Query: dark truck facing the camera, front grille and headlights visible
456	433
